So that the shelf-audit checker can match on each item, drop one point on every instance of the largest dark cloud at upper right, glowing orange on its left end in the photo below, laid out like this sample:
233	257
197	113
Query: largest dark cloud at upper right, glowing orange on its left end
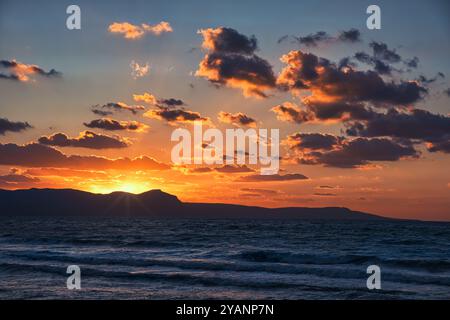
332	83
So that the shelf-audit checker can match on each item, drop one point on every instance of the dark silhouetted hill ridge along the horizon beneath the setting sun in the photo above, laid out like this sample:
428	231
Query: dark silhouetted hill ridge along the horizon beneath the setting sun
153	203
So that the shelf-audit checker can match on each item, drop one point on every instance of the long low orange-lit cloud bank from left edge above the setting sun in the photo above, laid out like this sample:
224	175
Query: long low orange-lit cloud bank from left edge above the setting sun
38	155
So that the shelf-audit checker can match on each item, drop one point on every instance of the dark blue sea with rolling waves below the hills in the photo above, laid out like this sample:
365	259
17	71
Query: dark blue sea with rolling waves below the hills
221	259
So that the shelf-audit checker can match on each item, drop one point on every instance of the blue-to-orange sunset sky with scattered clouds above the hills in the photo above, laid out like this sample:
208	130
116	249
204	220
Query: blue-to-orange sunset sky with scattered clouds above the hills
363	114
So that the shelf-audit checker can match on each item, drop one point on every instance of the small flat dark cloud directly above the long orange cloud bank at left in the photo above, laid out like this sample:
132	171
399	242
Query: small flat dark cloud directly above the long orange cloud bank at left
87	139
